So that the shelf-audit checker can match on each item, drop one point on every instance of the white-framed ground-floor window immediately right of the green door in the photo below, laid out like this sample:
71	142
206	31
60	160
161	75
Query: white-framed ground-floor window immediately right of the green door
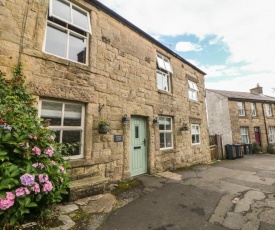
166	132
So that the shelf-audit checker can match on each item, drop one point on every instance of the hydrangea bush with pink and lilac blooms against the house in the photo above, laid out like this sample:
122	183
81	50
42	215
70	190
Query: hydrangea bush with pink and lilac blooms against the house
32	170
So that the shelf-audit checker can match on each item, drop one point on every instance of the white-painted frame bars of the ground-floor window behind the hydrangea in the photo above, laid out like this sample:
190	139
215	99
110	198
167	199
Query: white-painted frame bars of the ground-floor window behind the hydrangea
68	128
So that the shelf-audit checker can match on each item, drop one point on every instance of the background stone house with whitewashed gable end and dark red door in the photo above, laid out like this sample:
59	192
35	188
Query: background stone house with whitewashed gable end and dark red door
241	117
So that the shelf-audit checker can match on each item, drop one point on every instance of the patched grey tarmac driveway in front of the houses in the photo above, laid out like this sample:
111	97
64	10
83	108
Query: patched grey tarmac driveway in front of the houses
236	194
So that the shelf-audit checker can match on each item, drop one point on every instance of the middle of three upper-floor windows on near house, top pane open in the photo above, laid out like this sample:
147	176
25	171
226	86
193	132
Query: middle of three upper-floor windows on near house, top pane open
164	73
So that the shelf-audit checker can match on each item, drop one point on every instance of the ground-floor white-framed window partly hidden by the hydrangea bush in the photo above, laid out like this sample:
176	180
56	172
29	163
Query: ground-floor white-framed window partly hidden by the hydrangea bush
67	119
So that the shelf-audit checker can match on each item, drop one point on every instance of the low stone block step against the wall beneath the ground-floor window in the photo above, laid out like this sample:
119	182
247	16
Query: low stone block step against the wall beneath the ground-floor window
87	187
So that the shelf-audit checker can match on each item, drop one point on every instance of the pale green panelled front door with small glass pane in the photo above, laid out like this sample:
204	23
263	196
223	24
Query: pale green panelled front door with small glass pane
138	156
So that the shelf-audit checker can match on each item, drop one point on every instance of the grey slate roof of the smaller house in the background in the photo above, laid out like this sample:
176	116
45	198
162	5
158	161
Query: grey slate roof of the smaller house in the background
233	95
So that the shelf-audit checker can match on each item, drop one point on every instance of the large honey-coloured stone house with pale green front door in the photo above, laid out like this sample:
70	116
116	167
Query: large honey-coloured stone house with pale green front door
85	63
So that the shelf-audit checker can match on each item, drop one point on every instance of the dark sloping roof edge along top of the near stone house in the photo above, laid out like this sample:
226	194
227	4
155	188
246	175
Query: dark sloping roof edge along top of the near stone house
139	31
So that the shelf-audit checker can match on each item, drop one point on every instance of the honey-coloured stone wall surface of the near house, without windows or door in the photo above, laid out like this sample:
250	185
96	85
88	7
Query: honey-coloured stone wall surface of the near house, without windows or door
120	78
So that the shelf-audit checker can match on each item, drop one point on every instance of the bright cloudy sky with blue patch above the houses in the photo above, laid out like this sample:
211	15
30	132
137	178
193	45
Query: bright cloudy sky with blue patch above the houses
231	40
